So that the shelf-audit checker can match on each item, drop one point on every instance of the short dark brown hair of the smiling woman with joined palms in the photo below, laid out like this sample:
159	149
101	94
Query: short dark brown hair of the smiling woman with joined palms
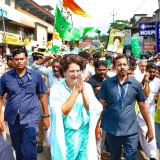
69	59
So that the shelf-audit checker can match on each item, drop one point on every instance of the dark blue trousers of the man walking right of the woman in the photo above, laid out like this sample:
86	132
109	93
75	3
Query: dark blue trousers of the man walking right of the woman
129	143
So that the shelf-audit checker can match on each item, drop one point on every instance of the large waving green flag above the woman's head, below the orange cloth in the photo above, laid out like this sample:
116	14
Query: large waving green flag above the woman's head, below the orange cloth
67	31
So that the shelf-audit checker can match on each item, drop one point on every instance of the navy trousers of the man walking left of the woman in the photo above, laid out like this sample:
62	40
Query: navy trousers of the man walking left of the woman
23	137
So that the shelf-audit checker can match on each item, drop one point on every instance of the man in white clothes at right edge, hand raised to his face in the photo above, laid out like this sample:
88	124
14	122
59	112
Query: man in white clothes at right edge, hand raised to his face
153	83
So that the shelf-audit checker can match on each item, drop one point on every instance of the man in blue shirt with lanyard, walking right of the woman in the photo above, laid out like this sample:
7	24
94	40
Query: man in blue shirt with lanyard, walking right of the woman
119	94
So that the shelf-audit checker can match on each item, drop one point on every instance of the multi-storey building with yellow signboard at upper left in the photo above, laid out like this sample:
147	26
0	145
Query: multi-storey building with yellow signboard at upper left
24	19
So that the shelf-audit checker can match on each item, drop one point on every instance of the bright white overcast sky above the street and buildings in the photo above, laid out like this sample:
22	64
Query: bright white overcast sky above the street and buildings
102	10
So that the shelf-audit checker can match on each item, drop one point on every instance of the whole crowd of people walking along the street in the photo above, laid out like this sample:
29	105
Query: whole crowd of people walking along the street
83	105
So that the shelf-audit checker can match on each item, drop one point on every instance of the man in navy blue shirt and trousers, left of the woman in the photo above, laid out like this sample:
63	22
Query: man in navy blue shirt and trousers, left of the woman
24	88
